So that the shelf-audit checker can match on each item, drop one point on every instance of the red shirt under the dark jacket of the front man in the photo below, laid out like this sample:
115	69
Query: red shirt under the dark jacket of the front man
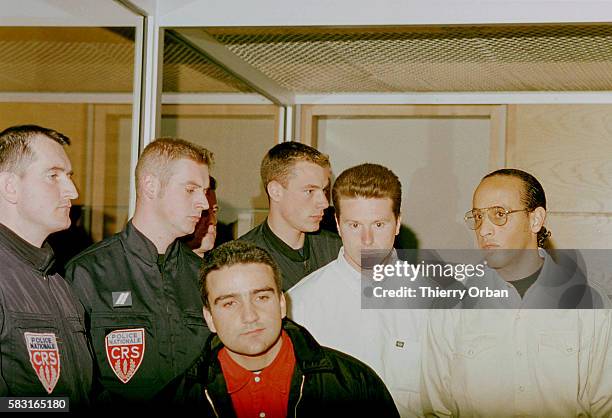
263	394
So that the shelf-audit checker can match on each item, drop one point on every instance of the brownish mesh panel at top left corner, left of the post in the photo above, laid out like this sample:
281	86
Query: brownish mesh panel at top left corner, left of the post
65	60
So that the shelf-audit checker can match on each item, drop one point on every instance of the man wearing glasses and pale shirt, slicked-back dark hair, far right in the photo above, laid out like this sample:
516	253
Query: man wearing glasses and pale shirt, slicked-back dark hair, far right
509	362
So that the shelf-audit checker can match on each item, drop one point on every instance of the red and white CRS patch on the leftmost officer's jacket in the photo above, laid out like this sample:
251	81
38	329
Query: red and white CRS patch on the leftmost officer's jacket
44	357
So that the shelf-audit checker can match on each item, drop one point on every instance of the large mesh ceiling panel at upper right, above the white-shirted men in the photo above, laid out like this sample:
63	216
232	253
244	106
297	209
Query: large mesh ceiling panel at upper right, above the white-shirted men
520	58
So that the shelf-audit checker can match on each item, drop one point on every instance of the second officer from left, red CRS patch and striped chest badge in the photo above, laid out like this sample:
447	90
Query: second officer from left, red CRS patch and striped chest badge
140	286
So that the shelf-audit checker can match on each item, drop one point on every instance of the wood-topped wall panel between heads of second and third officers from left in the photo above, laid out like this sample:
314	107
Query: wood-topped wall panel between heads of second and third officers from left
239	136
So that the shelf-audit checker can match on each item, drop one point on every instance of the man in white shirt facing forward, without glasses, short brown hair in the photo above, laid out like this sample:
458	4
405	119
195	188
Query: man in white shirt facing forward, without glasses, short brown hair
367	199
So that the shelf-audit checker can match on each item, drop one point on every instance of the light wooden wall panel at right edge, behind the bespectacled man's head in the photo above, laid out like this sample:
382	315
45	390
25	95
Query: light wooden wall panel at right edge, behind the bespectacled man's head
568	148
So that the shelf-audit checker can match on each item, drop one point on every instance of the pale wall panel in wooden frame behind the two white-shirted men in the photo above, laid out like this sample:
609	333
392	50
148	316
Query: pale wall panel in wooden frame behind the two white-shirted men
439	161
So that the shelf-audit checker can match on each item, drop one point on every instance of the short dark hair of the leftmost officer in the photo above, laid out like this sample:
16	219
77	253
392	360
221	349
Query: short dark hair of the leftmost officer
15	150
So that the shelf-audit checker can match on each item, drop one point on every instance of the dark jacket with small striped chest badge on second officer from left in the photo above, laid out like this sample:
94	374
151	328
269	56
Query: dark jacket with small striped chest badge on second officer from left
122	287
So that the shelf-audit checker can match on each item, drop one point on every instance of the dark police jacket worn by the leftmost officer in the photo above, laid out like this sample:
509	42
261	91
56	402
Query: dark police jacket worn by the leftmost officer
37	304
